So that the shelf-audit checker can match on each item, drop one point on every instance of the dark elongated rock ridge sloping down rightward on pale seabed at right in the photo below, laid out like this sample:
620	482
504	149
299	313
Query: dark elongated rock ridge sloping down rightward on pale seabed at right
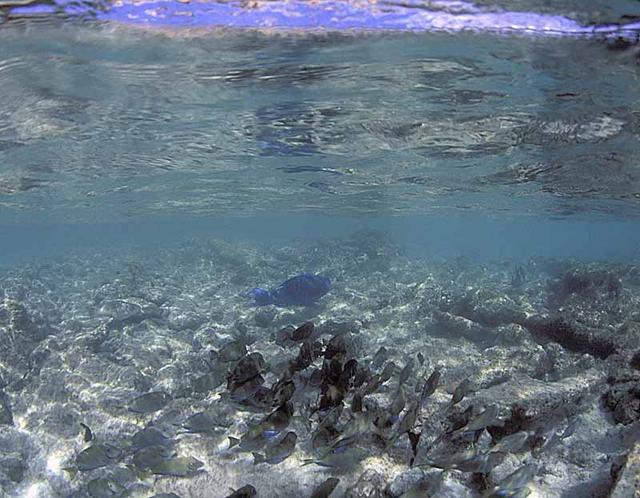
571	335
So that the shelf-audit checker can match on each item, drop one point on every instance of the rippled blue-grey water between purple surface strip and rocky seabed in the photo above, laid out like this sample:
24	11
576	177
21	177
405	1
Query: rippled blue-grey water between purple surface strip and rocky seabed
464	144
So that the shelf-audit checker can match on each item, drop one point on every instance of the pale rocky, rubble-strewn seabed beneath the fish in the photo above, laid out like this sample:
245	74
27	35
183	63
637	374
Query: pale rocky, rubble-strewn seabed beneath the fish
551	346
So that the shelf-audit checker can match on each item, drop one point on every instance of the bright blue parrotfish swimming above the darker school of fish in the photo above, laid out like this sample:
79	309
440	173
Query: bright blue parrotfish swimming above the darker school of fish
302	290
